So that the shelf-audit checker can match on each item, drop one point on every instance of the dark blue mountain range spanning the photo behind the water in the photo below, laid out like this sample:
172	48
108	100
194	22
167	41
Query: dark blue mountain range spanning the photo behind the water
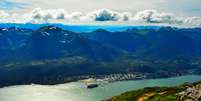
50	54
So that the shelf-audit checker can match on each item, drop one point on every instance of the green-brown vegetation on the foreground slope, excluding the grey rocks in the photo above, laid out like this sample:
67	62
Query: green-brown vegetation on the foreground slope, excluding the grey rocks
154	94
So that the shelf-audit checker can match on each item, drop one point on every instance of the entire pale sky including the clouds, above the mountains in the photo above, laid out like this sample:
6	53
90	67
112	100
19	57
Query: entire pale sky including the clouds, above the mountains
113	11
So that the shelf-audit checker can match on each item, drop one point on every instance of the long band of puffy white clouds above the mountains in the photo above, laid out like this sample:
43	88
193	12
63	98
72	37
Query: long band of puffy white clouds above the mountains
103	15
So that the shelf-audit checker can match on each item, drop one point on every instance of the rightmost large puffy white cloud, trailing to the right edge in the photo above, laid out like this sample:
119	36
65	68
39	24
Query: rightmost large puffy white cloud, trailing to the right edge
154	16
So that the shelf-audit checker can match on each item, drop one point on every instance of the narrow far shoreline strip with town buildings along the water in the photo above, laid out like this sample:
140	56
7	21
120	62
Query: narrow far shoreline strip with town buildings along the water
110	78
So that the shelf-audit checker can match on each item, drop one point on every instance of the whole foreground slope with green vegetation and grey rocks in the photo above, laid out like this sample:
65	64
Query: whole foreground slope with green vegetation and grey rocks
185	92
